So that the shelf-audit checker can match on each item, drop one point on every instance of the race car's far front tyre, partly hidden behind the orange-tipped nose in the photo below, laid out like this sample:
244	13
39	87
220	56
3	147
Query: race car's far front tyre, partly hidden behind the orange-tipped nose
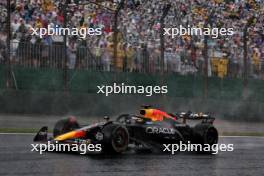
64	126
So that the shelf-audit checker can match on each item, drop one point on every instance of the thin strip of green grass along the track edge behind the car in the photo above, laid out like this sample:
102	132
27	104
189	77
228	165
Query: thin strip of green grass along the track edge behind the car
32	130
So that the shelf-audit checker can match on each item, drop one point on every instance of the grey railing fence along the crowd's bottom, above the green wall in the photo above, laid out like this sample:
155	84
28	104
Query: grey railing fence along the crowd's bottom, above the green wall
142	60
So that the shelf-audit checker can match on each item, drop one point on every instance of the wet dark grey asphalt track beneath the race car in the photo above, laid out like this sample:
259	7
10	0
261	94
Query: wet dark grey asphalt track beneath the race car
246	160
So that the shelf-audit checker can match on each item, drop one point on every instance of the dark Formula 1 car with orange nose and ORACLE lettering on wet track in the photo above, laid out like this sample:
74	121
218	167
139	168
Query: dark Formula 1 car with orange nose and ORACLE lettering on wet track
147	131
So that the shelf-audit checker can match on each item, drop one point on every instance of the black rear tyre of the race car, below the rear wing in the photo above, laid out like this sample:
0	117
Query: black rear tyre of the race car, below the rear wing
205	134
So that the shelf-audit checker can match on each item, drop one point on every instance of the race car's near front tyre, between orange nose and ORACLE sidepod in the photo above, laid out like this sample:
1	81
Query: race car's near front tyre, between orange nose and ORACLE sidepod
116	138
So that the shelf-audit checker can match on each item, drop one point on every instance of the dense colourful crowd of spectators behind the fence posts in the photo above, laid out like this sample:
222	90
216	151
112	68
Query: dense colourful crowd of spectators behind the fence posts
138	44
